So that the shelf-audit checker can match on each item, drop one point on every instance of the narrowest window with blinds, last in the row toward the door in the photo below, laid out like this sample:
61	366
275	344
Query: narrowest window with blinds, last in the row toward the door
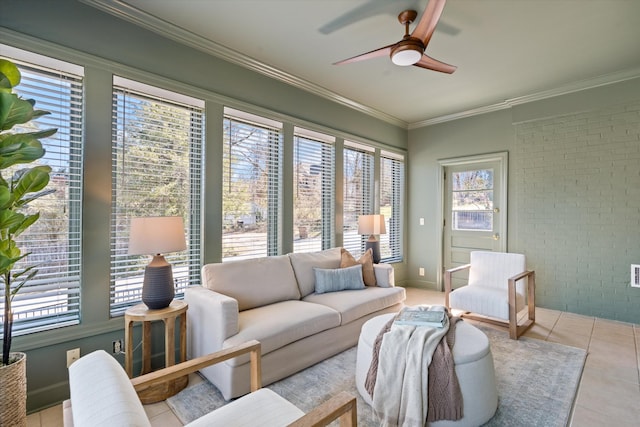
391	203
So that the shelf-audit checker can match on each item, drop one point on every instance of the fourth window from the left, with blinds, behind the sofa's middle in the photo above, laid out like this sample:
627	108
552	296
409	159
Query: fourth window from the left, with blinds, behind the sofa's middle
313	191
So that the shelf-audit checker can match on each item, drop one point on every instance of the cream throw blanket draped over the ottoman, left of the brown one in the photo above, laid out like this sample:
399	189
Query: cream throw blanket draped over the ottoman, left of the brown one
402	384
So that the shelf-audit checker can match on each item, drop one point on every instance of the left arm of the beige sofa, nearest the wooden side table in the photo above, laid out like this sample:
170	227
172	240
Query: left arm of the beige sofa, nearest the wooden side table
212	318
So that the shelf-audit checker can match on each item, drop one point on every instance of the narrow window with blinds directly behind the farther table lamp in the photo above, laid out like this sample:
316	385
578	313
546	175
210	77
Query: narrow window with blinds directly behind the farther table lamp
358	193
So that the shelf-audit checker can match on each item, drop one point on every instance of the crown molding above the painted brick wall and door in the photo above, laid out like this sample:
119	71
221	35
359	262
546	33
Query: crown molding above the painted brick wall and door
591	83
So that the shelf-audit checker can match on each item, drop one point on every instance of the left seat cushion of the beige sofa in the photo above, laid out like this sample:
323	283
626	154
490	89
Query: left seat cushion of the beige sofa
279	324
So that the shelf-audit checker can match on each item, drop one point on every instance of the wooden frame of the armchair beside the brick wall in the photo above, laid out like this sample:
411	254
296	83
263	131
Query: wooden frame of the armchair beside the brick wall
515	330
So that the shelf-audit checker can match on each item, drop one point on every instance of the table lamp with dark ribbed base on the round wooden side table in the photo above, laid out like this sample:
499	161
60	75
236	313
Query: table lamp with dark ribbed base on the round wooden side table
155	236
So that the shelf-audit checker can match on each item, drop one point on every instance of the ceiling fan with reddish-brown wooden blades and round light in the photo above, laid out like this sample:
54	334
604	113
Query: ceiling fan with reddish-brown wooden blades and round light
410	50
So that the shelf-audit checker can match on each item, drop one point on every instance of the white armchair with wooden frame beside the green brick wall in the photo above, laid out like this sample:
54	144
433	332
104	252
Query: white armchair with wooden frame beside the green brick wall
499	286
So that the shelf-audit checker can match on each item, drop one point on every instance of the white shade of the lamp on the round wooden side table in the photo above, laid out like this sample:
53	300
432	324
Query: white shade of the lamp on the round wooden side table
156	235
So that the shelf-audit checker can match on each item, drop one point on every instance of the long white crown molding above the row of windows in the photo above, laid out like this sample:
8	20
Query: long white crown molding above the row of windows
138	17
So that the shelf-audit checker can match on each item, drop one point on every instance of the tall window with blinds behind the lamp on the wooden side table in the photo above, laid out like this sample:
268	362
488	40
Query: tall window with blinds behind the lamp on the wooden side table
157	166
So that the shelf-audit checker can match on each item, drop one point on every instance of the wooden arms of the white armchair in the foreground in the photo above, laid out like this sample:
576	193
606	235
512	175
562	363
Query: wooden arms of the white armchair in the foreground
341	407
